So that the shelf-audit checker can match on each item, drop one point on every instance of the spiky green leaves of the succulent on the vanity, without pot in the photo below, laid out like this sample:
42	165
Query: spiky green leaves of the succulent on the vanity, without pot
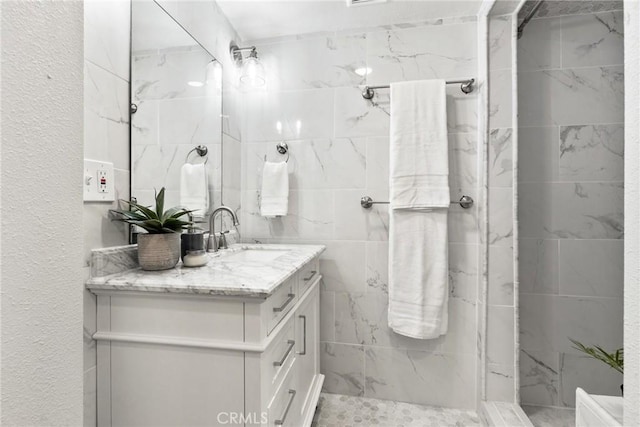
156	221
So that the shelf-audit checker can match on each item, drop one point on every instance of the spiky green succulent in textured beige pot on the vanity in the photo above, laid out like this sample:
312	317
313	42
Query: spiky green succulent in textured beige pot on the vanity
159	248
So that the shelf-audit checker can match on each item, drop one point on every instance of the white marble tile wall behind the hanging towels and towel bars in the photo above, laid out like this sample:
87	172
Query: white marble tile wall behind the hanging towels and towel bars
339	152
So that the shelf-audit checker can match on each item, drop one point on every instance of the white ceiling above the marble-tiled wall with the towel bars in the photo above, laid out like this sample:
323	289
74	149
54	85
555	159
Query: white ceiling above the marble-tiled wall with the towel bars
255	19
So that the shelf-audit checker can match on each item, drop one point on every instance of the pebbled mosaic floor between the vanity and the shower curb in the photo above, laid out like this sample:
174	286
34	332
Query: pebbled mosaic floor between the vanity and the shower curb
336	410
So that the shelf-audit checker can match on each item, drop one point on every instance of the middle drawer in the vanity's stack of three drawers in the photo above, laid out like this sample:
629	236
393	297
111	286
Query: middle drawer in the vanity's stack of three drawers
278	358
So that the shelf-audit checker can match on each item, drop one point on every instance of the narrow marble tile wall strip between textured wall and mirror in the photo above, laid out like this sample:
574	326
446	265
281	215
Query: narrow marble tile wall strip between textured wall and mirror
106	138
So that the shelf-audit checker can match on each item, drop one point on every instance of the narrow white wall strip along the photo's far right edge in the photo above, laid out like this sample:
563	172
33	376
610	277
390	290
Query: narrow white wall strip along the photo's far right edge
632	217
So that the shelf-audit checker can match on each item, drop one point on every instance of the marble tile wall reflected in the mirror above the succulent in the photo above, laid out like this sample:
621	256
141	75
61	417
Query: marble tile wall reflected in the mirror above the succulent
172	119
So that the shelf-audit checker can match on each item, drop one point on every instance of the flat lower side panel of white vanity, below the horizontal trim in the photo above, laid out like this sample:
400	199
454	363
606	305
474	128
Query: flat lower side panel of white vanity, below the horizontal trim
161	385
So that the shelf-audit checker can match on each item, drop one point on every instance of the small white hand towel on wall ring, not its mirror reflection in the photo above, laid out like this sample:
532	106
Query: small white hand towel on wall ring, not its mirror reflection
274	200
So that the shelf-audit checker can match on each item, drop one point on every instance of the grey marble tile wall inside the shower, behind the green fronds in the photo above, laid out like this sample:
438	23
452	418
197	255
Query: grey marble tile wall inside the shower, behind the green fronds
571	203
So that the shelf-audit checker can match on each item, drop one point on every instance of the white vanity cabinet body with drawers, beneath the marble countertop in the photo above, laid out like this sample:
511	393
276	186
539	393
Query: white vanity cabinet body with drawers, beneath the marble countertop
196	360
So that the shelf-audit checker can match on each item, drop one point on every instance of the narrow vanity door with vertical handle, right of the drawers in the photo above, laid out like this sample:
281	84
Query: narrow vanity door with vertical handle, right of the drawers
308	349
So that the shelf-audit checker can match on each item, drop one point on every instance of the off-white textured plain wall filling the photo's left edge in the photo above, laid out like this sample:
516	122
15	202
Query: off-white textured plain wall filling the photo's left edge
42	231
